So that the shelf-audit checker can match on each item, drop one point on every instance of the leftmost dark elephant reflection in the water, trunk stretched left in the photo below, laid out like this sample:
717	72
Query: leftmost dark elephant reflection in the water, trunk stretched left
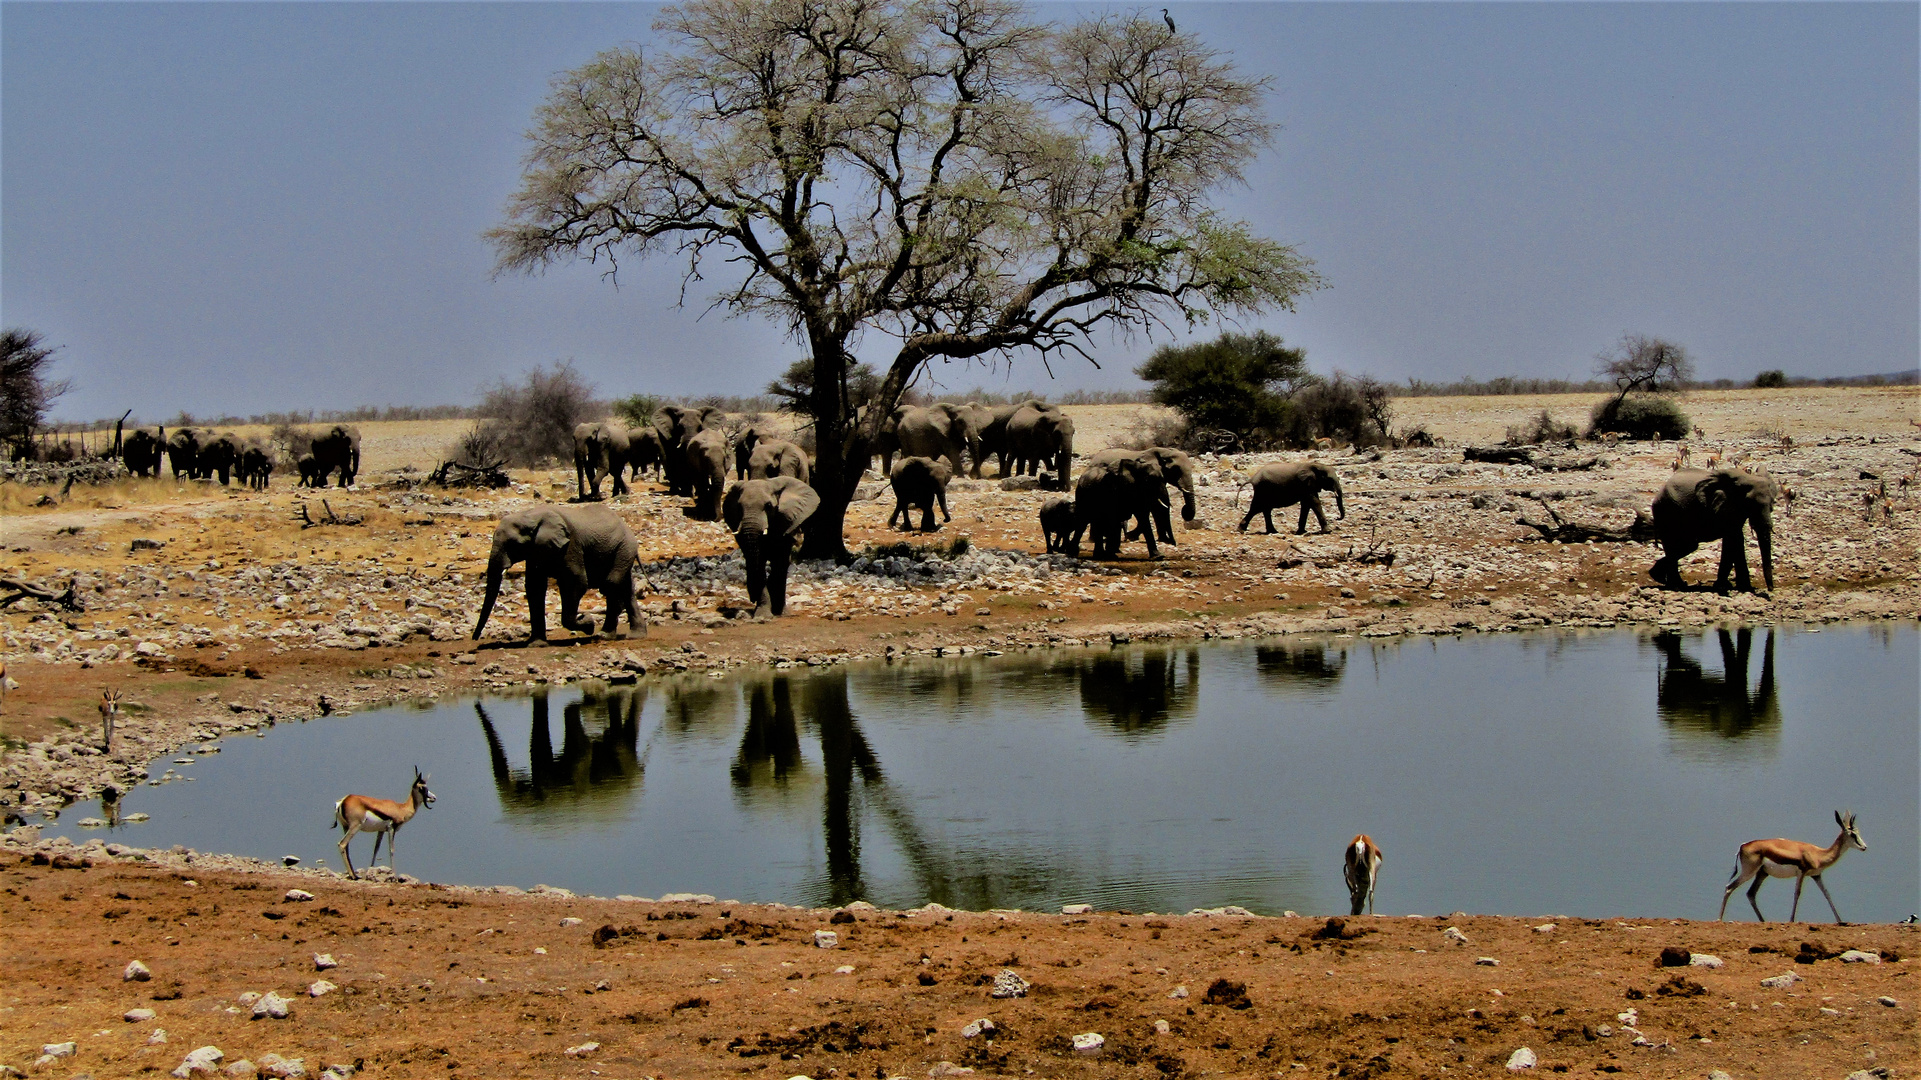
596	764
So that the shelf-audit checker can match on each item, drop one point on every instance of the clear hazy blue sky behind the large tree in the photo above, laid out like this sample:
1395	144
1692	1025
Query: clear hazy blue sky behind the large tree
237	209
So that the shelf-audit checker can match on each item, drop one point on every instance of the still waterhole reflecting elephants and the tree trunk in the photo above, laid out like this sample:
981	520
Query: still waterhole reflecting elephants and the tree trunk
1582	773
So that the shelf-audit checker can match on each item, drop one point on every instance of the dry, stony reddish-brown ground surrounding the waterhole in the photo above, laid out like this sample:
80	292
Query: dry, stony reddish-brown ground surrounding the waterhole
243	618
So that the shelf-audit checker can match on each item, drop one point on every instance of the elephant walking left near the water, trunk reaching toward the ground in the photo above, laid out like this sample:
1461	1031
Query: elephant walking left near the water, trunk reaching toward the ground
581	549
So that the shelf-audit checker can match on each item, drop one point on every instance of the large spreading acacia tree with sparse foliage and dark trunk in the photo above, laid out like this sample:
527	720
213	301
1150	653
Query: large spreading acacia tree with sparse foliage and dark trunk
950	174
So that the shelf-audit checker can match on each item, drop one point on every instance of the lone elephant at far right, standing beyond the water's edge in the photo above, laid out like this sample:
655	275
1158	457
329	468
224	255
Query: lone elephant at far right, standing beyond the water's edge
1699	506
